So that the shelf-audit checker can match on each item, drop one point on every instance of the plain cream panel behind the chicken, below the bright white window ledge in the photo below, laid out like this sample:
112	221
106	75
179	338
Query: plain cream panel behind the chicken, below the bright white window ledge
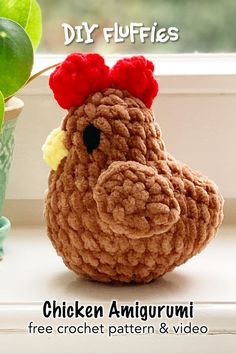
196	114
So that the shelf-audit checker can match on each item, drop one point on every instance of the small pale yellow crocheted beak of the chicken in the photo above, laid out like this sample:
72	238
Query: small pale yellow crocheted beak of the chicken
54	149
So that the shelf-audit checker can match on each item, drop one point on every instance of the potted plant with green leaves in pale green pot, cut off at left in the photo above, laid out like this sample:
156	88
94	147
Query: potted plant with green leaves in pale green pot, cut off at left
20	33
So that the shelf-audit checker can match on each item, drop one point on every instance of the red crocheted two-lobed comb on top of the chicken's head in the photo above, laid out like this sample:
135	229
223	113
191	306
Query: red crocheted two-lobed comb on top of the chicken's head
82	74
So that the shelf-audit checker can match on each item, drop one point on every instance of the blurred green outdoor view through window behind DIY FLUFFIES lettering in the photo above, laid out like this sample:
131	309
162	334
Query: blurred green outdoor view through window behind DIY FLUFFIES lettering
205	25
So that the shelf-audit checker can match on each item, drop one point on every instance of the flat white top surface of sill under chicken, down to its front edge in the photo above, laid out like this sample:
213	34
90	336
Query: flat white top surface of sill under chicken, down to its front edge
199	280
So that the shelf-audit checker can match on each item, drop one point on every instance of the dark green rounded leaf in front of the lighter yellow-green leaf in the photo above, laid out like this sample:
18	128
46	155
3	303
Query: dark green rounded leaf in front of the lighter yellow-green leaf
16	57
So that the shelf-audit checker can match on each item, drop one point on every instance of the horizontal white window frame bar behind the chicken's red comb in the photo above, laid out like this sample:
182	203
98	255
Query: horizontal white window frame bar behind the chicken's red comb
177	73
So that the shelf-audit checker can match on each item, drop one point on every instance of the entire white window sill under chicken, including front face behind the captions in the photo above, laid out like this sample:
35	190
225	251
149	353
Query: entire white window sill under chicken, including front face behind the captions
42	276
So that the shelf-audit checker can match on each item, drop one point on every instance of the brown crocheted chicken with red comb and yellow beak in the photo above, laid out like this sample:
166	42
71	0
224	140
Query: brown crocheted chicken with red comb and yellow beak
119	207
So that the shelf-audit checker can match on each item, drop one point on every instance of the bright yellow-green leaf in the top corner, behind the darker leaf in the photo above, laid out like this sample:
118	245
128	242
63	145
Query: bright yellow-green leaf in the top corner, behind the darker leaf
27	13
